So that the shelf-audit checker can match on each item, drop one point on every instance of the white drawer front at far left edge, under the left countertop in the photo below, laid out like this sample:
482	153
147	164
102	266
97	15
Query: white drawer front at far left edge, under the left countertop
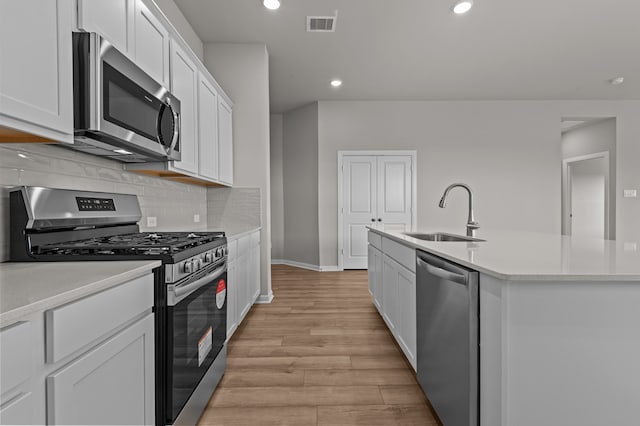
16	355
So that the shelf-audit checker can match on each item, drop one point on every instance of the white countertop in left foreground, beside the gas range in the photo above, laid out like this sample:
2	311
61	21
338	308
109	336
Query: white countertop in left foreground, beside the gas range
30	287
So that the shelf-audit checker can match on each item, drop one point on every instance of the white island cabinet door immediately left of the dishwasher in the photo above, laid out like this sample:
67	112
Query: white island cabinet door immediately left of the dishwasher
407	313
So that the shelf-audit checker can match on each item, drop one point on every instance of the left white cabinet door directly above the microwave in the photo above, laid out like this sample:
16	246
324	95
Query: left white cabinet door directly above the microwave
112	19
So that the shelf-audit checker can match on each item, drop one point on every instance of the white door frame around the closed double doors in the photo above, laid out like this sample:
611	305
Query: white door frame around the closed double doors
414	191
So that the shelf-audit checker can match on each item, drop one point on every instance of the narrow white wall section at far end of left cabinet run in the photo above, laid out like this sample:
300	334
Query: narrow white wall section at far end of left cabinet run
243	71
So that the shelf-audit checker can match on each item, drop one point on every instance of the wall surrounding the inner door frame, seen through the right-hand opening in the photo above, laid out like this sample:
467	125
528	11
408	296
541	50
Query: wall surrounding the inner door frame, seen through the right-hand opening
597	137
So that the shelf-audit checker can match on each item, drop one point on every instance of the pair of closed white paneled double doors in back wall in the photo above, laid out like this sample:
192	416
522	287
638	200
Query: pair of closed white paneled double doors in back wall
377	189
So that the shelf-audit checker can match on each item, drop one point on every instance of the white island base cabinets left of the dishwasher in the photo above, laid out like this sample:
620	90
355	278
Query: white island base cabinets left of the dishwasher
392	283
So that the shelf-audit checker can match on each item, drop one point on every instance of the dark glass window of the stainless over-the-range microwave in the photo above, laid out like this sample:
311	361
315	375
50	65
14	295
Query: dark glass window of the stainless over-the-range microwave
128	105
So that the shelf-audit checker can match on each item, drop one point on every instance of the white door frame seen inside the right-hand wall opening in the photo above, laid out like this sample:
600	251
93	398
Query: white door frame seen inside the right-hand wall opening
566	190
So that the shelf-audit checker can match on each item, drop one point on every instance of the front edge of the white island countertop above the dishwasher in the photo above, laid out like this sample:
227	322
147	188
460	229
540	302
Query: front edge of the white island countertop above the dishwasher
416	244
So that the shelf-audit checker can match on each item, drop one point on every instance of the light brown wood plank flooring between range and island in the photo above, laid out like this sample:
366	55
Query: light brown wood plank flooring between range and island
319	354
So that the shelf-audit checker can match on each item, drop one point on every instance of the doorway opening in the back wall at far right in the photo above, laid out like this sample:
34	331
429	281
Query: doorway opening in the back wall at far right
588	177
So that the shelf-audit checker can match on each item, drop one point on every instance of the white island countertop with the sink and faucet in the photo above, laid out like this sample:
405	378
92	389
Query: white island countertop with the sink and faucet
531	256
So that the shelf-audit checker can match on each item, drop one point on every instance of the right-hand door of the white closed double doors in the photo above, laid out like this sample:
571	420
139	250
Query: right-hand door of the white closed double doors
394	192
